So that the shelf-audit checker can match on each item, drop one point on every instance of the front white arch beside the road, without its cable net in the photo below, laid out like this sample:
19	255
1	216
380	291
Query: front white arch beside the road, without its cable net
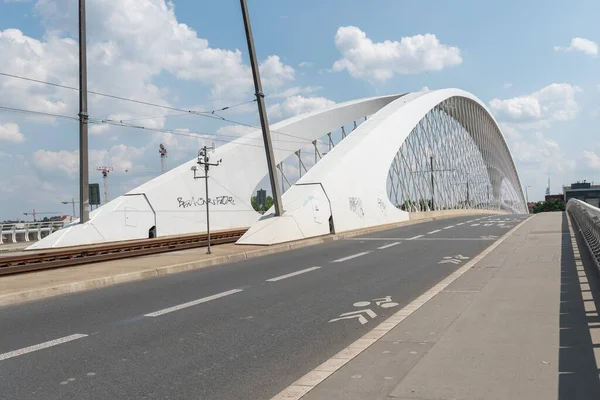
349	184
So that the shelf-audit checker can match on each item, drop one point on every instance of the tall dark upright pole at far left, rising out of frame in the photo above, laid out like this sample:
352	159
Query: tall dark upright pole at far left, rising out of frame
84	195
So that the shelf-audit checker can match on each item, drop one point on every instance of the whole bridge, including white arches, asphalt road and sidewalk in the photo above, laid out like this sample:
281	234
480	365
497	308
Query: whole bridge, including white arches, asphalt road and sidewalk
405	266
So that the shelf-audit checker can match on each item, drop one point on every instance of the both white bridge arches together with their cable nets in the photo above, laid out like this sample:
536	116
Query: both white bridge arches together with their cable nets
378	172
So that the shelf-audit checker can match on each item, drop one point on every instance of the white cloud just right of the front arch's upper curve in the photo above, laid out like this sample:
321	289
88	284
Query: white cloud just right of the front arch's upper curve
555	102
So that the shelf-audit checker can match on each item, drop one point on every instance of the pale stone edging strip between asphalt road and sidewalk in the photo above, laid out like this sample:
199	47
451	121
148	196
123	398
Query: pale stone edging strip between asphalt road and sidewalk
313	378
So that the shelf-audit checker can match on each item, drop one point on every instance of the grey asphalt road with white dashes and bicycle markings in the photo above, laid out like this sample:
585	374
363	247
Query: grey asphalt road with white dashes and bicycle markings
242	330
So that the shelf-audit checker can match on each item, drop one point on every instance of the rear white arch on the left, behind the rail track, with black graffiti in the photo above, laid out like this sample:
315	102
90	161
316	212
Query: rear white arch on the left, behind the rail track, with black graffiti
173	203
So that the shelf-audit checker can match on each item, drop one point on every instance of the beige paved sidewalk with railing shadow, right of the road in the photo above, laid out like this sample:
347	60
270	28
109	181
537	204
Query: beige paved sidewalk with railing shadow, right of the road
522	323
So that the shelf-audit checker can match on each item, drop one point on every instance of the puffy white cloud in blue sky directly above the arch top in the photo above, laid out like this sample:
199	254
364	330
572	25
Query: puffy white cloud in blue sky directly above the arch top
380	61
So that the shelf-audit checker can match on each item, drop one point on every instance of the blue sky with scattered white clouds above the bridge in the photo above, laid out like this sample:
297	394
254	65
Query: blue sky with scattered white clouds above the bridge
535	64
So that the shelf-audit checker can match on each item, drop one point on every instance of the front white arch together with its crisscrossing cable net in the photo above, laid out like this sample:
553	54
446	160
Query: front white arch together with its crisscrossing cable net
349	188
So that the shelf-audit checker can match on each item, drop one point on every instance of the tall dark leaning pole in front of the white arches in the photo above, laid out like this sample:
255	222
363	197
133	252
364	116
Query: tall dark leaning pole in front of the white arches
260	99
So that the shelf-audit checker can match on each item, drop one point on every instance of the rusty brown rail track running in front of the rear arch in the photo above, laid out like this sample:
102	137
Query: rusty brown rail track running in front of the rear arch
71	256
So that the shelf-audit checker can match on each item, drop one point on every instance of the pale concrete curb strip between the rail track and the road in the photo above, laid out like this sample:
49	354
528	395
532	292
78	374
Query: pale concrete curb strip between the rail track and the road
99	283
